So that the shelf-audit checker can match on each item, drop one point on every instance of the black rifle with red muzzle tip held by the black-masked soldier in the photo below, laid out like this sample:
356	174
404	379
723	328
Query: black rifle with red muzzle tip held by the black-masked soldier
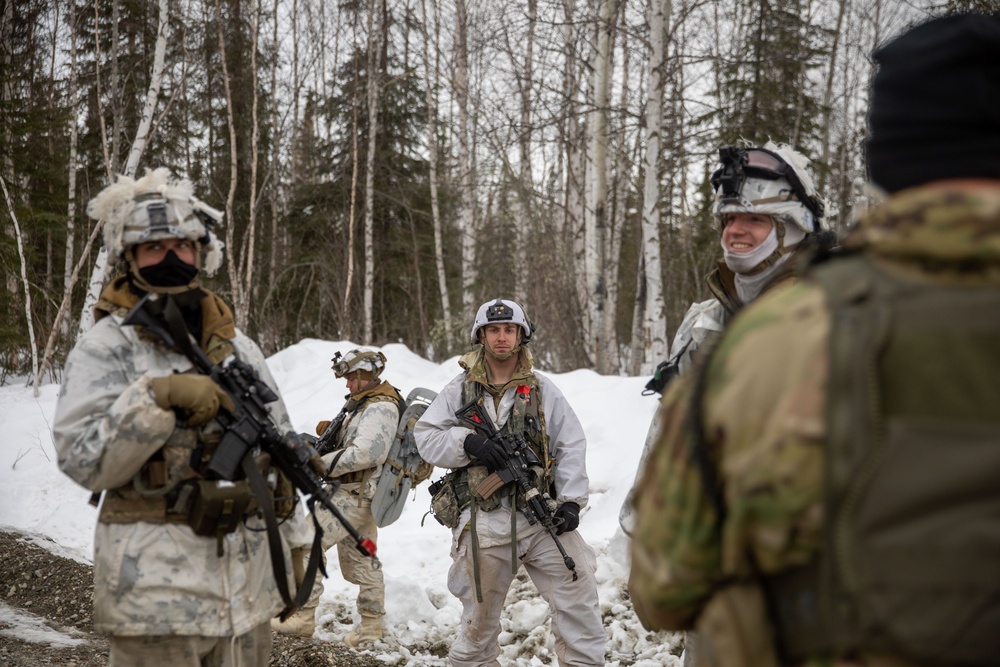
250	424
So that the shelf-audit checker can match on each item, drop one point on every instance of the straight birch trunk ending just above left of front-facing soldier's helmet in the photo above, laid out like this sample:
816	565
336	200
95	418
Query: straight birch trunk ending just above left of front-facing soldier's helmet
466	217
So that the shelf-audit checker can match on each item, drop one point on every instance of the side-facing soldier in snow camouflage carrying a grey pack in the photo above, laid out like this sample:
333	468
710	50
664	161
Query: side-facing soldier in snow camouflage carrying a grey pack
361	444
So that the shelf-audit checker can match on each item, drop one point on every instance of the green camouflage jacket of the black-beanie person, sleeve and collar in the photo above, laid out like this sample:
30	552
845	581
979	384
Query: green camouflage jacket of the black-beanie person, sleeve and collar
763	418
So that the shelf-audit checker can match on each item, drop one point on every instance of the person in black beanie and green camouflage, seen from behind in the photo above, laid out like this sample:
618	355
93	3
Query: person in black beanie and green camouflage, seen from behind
736	499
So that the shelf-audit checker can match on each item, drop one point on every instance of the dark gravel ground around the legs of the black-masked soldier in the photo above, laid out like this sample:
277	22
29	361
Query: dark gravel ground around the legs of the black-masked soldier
59	591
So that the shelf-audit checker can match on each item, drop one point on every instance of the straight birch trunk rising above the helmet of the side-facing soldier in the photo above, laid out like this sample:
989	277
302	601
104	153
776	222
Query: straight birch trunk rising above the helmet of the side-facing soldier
374	48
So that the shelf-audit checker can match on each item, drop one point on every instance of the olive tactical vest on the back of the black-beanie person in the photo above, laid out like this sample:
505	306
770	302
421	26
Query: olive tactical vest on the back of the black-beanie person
912	502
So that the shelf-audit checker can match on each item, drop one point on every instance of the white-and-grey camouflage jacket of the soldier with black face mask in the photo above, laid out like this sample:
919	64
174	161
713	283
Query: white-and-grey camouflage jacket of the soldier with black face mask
151	578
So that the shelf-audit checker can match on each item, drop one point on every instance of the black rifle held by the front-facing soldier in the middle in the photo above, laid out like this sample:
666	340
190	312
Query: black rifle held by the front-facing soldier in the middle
538	507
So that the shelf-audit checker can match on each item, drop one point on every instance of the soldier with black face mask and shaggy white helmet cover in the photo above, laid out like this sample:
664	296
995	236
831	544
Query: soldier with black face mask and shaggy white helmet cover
131	420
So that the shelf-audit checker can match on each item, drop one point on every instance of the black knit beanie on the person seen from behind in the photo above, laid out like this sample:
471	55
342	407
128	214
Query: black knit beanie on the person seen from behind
935	108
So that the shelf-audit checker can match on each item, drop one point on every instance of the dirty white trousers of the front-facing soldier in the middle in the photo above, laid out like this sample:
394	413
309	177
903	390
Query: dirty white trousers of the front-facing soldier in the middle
574	605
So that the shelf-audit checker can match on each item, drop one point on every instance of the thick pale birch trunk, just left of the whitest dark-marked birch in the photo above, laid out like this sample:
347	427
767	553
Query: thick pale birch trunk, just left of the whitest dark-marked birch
596	232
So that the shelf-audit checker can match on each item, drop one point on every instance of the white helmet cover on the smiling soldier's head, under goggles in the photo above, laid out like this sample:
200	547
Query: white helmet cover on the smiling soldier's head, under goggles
775	197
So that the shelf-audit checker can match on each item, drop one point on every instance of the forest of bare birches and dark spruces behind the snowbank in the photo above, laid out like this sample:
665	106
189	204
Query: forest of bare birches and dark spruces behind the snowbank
385	166
